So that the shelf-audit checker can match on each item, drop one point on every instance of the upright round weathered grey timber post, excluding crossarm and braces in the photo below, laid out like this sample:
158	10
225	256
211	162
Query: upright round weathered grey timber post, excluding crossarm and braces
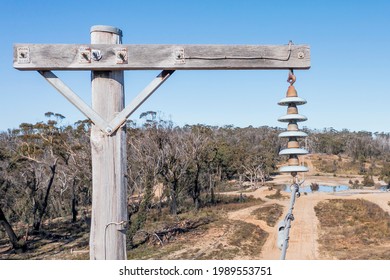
109	208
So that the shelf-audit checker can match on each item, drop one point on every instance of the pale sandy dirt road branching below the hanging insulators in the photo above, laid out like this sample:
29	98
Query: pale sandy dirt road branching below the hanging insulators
304	229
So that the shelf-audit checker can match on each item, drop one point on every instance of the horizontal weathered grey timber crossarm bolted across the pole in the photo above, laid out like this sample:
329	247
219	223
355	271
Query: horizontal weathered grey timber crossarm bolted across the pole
159	57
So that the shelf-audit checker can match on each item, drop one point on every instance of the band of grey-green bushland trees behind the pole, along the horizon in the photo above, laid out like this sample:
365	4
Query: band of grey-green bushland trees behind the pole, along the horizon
45	168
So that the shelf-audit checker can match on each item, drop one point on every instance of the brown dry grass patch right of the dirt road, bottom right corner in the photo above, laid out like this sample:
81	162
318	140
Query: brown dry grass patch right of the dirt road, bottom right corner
353	229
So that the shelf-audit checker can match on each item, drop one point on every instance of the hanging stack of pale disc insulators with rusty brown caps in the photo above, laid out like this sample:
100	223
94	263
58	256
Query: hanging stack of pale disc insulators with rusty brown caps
293	133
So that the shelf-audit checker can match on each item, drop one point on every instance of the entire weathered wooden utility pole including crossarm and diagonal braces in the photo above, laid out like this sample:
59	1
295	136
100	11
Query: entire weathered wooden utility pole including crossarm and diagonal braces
107	58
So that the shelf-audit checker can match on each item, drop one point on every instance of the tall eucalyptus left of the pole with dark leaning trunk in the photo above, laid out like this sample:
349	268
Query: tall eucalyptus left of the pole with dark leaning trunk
39	149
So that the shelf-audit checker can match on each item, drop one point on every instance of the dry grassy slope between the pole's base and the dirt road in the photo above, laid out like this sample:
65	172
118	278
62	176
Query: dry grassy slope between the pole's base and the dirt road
221	239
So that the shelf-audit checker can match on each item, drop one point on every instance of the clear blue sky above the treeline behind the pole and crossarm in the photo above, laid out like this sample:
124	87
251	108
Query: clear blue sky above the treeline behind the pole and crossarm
346	87
